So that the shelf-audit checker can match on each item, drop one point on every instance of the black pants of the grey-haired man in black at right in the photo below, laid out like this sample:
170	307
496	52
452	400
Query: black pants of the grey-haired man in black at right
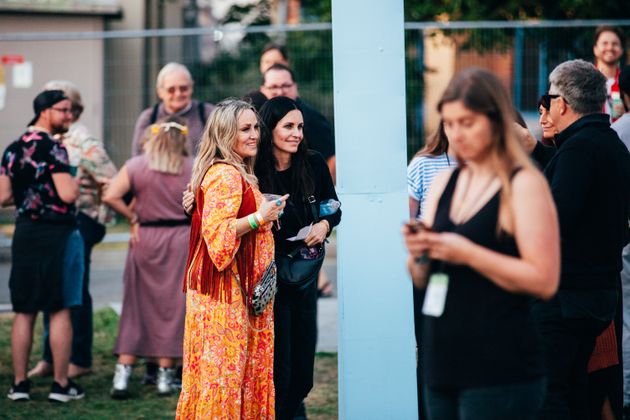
569	343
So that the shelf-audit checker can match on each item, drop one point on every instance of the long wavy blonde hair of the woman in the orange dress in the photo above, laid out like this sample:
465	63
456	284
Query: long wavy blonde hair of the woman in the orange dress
218	142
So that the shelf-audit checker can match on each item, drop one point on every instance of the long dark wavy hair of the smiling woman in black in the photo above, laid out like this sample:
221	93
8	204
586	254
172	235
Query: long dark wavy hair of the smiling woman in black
302	183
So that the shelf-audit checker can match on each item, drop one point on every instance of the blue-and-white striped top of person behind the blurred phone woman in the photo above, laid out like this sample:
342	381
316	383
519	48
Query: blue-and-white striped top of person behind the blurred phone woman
421	172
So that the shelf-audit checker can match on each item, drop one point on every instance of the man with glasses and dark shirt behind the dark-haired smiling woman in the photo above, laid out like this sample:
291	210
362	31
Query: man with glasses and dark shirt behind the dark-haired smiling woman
279	80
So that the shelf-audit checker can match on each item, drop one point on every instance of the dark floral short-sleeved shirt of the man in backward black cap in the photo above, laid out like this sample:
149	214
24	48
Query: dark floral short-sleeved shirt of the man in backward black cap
30	163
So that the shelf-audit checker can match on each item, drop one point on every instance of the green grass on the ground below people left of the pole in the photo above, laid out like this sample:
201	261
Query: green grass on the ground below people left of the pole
144	404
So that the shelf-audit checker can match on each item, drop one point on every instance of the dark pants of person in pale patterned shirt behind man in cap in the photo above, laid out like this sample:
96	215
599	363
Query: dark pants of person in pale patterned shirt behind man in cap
81	316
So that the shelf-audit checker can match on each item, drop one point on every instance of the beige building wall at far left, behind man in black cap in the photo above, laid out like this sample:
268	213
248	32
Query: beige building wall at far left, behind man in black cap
78	61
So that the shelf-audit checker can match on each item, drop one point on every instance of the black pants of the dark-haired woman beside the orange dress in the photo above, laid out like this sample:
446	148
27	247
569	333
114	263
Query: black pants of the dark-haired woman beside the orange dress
295	320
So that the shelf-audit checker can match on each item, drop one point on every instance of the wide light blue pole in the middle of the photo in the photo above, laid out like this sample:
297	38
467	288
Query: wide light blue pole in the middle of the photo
376	343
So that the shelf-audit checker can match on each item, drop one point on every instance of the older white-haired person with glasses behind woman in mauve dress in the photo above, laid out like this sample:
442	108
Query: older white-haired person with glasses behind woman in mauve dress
174	87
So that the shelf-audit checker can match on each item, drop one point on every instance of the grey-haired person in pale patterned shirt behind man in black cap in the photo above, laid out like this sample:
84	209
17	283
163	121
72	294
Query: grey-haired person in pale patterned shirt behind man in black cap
94	172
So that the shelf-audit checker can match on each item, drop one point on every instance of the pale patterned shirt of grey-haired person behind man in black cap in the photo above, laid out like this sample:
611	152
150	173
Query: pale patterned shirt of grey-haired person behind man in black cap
94	170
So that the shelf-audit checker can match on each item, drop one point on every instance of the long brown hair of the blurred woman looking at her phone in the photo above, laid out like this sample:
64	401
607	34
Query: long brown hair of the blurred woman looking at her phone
482	92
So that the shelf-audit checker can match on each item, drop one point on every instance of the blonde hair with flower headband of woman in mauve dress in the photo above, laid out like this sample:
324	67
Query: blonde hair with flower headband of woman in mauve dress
165	146
